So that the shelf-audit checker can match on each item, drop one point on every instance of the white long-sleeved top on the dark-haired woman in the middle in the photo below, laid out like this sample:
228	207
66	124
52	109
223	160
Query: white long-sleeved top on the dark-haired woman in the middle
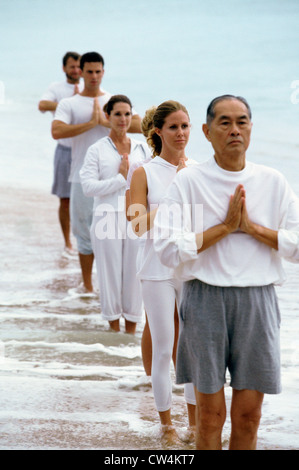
100	177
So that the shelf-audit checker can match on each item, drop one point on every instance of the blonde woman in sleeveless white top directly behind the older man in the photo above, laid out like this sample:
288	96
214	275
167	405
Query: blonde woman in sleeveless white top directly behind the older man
167	129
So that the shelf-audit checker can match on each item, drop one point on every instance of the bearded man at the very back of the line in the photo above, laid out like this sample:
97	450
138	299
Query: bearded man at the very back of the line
62	158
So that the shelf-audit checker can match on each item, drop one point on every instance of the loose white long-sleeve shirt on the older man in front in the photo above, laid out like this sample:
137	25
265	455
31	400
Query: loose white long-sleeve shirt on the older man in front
198	199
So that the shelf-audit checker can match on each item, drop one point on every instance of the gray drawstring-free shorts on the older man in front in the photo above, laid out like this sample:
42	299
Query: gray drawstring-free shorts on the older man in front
229	328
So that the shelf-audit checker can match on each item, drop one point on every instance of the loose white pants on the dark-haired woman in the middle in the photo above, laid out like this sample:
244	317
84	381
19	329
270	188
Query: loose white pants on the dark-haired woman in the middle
115	257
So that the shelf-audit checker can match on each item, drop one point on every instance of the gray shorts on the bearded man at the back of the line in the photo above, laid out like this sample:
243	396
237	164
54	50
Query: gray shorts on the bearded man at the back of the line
62	166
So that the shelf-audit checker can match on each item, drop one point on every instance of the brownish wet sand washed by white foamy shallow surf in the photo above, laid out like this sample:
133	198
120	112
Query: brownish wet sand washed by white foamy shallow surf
67	381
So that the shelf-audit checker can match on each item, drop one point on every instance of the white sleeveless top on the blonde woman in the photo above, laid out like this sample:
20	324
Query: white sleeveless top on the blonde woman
159	175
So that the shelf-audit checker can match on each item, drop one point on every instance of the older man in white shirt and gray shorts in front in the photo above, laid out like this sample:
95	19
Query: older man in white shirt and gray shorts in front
230	260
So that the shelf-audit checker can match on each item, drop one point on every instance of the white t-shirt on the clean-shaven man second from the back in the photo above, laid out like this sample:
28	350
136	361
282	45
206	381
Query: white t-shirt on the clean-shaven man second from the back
78	110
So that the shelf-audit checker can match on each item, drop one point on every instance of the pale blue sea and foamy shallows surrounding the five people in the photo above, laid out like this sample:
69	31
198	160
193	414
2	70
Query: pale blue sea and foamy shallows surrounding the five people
66	380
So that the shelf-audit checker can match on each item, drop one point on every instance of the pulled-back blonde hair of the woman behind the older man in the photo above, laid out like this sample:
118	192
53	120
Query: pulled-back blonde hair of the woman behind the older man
155	118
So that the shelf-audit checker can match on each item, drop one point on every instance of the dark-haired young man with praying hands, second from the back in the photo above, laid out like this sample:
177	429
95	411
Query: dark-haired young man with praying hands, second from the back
82	119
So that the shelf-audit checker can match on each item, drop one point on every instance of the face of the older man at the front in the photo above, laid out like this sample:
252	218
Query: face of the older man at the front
230	130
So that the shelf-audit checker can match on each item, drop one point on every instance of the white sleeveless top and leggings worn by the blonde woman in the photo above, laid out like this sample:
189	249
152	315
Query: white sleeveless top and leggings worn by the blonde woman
160	297
